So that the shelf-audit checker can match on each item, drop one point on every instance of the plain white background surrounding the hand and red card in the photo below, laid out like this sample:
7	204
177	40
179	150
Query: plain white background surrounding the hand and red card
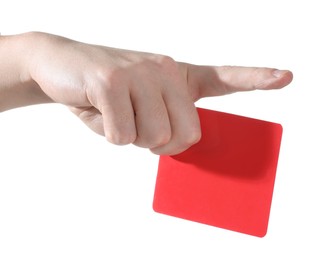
65	193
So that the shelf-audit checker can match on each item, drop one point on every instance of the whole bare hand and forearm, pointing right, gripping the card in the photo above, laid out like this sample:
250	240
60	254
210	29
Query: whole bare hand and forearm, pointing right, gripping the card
129	97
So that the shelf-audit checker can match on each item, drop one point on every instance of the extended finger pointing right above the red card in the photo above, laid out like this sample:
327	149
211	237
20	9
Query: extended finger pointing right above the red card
207	81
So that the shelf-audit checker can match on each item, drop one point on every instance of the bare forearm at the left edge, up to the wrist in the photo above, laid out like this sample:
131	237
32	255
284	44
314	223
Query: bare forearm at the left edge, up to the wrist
17	88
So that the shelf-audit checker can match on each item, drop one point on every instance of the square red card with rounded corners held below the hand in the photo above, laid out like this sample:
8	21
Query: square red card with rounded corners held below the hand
227	179
